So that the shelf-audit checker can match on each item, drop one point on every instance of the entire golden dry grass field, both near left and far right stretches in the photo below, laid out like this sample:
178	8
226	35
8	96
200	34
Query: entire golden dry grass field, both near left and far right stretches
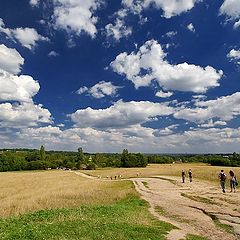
22	192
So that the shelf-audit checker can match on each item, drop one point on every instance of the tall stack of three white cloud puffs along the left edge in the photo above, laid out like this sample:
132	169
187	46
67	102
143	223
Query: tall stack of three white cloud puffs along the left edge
16	92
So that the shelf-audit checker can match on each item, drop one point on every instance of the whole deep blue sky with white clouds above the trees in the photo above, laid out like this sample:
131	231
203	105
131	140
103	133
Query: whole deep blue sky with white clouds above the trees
148	75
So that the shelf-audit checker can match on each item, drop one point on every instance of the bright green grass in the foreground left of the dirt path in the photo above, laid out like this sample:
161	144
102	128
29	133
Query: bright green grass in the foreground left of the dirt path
125	219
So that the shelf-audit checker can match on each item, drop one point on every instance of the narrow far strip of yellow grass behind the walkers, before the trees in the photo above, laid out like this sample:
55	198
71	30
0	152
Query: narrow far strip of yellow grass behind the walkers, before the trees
200	171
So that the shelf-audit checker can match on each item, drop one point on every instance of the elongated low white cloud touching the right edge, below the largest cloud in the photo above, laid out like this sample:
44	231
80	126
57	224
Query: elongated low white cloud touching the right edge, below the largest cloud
225	108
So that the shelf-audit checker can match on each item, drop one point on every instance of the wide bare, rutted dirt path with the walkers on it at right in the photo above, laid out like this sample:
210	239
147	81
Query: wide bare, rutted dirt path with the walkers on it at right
194	208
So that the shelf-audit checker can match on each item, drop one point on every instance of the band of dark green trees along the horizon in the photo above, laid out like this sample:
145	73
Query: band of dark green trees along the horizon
34	159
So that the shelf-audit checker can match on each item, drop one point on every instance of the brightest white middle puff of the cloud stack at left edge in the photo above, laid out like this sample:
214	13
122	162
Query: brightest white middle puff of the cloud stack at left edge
17	88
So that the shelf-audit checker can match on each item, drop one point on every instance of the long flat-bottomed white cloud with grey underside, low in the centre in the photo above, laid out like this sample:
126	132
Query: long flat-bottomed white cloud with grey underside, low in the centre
120	115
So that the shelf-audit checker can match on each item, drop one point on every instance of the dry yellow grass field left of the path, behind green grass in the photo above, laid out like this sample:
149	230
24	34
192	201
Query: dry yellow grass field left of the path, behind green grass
22	192
